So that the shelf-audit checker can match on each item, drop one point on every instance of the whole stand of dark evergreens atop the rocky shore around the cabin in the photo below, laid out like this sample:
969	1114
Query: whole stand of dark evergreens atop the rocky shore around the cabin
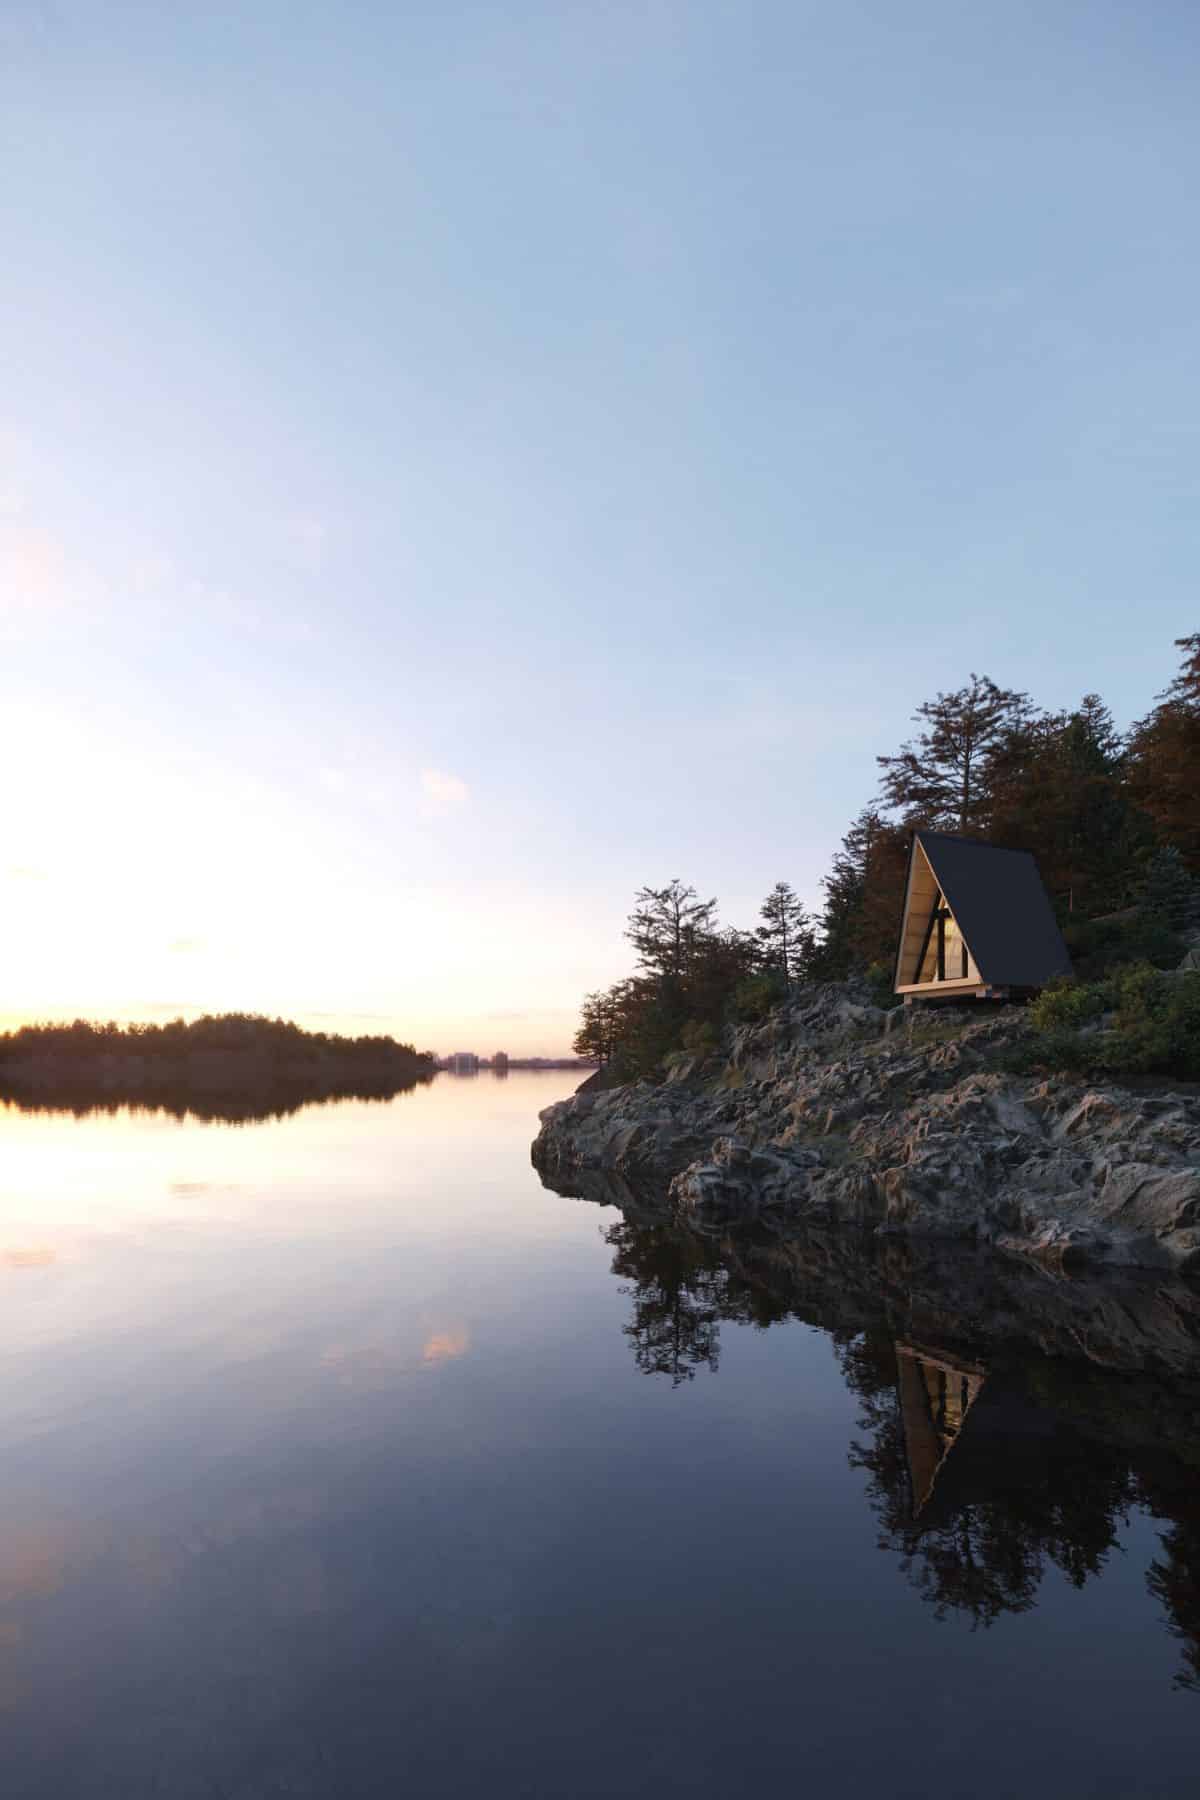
1113	820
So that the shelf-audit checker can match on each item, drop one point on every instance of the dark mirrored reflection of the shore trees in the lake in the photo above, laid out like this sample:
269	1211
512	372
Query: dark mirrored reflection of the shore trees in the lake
1021	1486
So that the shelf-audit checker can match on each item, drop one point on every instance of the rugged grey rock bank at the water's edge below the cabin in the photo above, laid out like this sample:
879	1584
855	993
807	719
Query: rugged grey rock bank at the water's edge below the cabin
899	1124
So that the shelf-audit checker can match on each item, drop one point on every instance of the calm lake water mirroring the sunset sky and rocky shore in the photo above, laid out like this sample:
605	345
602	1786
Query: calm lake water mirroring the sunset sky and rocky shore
343	1459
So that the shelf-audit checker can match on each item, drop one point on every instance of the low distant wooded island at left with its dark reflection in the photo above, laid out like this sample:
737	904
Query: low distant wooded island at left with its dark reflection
228	1056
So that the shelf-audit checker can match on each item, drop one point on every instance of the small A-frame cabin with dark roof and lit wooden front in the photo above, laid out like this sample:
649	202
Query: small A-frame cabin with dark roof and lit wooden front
978	922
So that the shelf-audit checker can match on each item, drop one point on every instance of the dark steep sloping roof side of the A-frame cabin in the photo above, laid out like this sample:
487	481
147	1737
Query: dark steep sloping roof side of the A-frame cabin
1001	908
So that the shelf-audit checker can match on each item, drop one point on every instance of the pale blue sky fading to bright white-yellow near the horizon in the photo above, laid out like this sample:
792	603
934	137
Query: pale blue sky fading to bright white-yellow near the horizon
460	463
